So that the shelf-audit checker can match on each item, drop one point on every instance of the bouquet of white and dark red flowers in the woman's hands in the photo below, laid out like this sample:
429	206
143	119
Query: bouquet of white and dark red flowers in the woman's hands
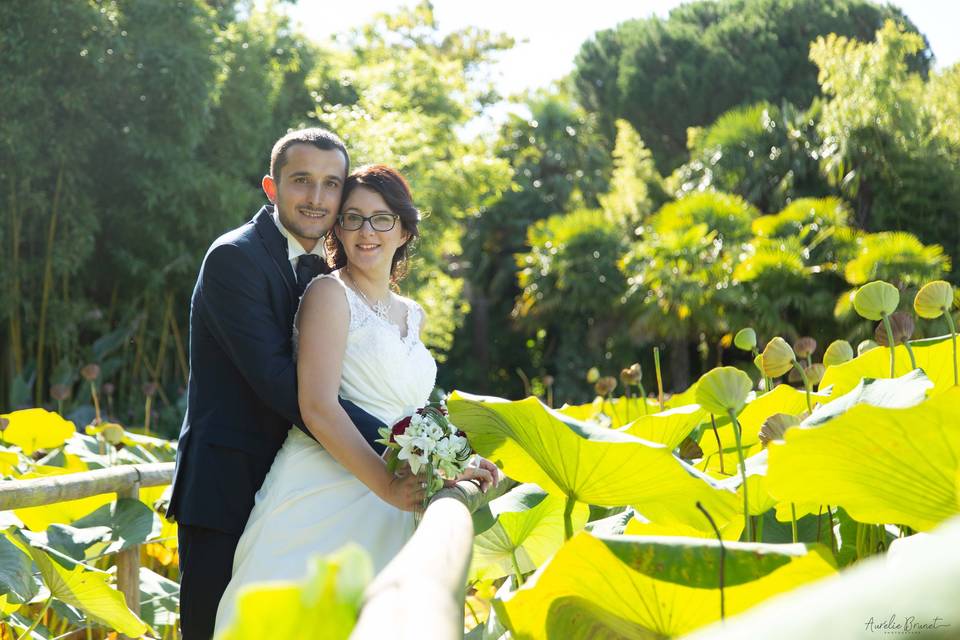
430	443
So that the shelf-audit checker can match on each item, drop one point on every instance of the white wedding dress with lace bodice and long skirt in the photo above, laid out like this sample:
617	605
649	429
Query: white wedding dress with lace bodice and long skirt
310	504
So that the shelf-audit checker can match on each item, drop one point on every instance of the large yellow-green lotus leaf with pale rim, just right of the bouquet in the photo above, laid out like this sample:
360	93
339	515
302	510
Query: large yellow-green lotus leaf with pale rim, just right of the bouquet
533	443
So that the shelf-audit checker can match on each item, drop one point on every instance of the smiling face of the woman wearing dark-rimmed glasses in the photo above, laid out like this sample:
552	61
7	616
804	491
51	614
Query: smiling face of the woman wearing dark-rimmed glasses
366	247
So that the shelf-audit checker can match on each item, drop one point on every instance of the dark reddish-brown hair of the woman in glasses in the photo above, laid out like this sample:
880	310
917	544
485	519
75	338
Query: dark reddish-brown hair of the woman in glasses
395	191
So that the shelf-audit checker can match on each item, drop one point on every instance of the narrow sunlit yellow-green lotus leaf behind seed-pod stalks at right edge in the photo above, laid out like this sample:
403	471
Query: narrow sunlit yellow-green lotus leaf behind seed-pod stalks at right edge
934	356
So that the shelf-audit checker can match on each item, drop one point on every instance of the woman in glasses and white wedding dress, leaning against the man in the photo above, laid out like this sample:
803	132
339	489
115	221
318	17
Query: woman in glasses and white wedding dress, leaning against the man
357	339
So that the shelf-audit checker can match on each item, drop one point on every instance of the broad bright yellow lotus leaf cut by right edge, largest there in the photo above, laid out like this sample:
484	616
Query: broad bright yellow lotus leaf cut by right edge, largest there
881	465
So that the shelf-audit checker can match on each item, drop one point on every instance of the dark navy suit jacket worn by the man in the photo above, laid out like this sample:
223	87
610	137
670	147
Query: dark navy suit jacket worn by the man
242	394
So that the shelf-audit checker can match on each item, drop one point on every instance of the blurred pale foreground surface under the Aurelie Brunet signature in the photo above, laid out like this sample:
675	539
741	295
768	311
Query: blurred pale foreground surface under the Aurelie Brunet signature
915	583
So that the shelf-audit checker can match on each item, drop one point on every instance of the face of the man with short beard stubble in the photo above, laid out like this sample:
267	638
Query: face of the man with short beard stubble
307	193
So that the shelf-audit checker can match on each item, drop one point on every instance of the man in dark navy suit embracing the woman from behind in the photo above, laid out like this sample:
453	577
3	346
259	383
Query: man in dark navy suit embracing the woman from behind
242	396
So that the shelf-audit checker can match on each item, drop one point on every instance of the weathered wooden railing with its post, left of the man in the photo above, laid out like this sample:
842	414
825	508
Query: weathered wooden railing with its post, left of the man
124	480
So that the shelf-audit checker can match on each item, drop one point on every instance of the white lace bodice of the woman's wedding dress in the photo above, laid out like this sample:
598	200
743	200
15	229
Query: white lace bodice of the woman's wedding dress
385	373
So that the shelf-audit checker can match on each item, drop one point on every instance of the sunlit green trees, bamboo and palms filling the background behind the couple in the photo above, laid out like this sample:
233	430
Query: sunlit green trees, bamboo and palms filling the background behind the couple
687	179
